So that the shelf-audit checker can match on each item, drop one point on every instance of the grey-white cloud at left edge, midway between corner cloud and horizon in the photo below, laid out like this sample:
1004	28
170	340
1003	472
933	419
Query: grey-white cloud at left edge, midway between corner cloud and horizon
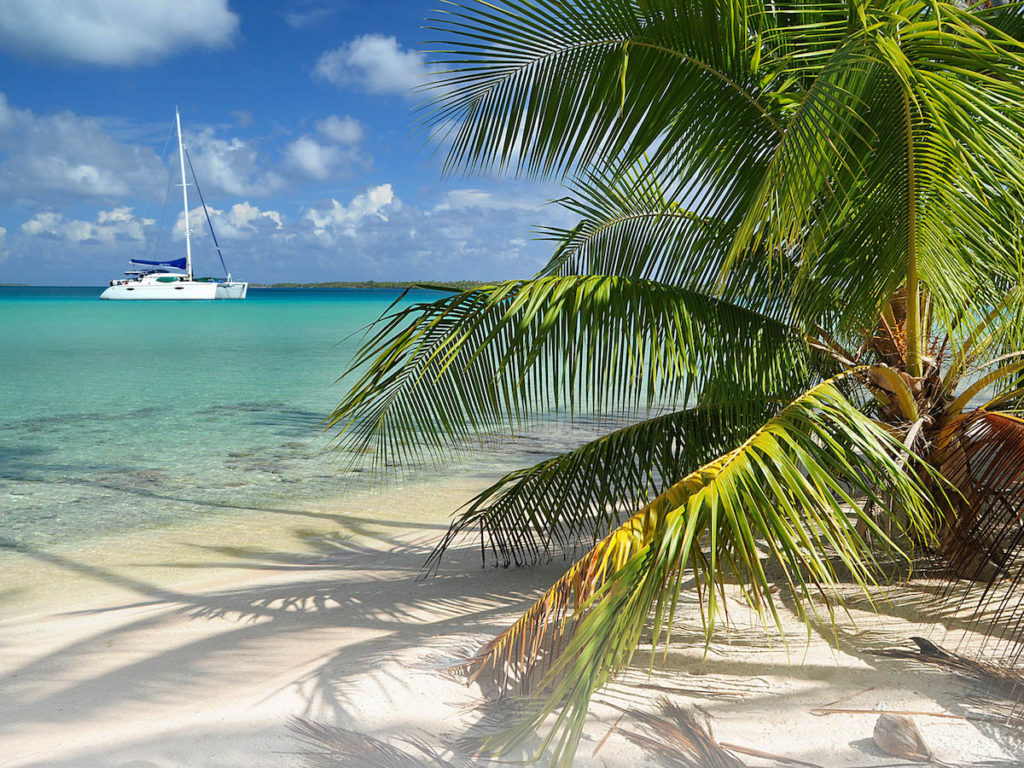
51	158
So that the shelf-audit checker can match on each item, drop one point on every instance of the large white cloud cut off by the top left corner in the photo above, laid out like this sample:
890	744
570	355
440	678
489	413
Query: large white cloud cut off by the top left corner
113	32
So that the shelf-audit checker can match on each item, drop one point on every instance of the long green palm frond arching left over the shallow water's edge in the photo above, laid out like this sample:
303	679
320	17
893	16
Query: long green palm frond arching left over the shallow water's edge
437	374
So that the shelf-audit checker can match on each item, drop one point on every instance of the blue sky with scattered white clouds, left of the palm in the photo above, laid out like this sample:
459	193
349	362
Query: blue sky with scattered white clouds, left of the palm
298	117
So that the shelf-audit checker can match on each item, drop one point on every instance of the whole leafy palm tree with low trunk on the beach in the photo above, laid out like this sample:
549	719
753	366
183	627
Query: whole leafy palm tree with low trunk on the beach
798	267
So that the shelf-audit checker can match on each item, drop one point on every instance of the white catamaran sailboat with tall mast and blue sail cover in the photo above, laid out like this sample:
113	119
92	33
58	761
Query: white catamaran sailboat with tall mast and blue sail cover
157	281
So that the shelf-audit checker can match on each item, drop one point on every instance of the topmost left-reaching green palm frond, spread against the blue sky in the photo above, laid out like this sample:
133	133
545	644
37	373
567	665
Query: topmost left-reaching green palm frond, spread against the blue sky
550	87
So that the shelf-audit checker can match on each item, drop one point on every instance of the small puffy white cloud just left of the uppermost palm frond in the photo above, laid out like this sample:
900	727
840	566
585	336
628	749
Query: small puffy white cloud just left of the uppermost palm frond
374	63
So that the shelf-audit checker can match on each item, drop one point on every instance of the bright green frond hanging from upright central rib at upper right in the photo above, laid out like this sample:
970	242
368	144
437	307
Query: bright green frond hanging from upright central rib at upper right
909	131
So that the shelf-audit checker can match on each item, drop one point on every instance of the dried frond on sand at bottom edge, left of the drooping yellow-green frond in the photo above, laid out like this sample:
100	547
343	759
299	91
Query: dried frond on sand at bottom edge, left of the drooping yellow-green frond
332	747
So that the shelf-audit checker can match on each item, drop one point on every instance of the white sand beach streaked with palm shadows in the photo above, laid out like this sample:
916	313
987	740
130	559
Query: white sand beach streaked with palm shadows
194	649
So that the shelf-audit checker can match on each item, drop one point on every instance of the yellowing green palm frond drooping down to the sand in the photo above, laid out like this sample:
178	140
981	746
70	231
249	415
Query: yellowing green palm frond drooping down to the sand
790	487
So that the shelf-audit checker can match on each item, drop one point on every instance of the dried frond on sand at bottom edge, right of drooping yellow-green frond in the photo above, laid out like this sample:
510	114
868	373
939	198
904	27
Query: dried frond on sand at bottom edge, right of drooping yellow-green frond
677	739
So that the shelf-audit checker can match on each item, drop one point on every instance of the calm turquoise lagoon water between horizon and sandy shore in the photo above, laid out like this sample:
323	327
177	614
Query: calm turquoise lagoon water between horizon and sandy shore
118	416
